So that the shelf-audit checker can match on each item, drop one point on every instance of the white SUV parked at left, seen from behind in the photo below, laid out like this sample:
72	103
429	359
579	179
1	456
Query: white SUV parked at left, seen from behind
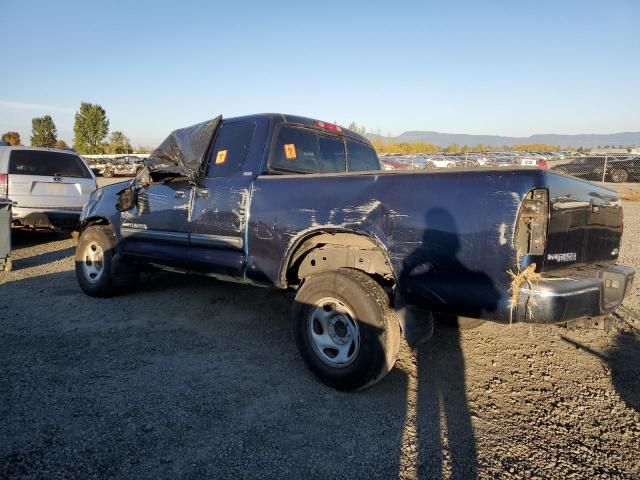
48	187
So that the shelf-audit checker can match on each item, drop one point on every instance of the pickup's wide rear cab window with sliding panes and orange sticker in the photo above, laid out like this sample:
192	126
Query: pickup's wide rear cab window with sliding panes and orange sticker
304	150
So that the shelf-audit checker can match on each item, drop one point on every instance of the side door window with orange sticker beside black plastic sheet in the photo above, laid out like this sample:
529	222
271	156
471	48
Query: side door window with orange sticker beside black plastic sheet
230	149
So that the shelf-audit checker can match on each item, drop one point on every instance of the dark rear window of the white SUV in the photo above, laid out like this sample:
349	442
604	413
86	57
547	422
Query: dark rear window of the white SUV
47	164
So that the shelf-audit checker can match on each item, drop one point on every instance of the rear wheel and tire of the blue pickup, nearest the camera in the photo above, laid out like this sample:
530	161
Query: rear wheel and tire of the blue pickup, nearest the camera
349	310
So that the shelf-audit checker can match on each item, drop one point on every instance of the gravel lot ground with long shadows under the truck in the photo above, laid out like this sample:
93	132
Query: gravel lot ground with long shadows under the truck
193	378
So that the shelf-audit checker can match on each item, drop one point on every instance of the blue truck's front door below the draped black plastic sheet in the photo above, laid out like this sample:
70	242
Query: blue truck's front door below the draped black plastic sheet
158	227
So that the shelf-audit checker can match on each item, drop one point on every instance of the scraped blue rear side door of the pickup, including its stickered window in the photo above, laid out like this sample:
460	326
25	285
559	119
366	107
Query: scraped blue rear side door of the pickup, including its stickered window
220	206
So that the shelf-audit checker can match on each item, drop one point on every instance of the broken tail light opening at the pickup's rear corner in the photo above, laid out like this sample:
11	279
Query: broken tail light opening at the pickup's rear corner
531	228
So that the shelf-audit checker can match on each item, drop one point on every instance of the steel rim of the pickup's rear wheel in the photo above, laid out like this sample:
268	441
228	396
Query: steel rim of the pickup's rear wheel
334	332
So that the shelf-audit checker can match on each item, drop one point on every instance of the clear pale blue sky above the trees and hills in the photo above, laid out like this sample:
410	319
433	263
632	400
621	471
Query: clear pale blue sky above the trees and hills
512	68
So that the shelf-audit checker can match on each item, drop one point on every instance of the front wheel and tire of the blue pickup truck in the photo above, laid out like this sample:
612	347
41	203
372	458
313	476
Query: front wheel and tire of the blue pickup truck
99	270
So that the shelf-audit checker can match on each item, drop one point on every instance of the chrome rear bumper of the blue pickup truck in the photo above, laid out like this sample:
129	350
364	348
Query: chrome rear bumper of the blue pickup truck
556	300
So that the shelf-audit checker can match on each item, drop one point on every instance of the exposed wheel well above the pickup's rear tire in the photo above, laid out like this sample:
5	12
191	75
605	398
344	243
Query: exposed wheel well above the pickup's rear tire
330	251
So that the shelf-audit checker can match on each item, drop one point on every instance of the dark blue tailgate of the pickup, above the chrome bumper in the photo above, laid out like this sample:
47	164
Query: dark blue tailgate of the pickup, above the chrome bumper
585	223
